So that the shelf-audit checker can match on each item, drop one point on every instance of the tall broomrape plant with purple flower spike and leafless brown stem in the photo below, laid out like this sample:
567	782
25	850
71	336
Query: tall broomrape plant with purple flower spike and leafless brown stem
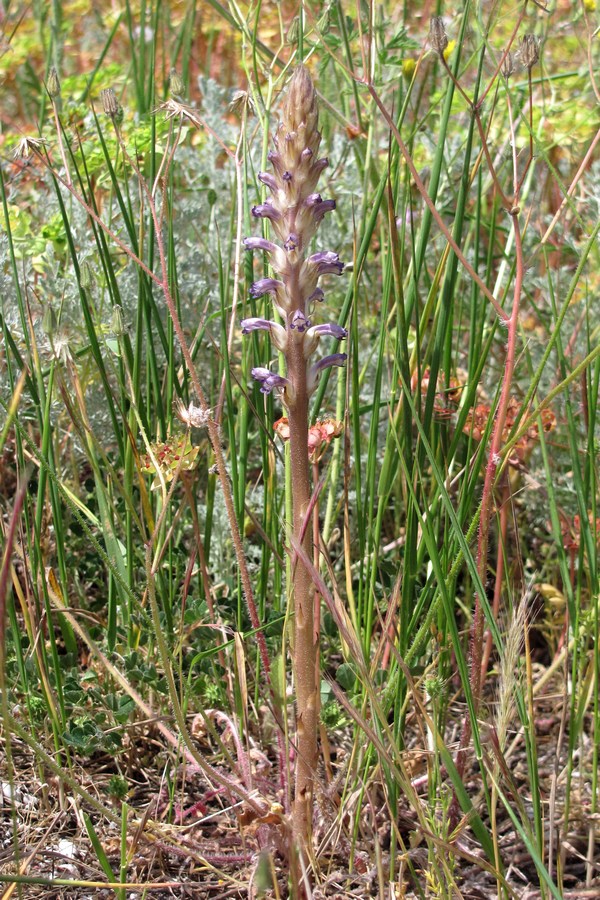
295	210
